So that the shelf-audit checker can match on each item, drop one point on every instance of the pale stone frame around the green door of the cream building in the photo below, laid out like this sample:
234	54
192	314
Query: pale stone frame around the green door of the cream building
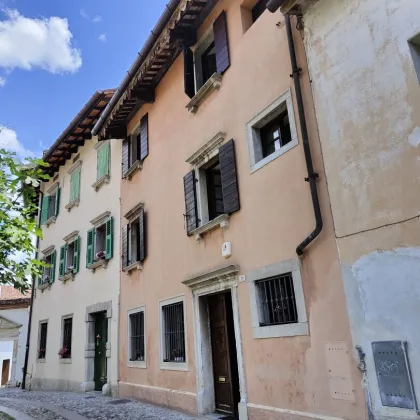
91	311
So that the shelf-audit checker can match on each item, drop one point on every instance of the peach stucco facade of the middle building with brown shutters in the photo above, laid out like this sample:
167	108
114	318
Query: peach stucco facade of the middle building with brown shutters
292	376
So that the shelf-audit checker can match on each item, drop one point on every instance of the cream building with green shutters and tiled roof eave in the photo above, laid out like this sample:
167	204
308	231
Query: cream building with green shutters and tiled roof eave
74	340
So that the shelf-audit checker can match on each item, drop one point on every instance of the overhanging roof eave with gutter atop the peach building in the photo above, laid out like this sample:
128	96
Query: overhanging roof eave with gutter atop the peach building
153	61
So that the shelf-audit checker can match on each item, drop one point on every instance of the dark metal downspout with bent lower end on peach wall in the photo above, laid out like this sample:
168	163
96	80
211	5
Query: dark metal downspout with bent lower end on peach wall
312	175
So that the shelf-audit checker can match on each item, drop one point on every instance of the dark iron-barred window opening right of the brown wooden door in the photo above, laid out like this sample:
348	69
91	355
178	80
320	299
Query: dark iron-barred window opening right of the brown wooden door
276	299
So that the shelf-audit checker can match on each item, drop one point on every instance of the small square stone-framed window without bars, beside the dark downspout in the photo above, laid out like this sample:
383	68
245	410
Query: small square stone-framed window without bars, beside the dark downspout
272	132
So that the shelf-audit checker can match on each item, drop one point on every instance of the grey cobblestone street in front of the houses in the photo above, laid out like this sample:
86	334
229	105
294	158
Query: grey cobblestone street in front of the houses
73	406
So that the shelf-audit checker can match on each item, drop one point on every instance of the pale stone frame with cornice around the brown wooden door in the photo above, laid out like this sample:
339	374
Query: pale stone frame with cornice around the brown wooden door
222	279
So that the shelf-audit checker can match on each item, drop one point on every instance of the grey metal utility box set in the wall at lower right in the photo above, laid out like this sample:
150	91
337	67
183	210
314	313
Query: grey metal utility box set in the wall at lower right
394	375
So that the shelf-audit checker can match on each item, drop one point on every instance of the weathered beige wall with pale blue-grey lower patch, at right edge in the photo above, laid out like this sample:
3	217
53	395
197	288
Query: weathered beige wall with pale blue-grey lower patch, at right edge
367	99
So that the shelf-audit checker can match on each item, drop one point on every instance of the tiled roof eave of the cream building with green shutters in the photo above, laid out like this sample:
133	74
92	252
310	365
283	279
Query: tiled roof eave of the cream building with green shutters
78	131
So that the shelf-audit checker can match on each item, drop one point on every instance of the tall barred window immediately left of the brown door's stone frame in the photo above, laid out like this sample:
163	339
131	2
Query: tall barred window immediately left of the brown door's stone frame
174	333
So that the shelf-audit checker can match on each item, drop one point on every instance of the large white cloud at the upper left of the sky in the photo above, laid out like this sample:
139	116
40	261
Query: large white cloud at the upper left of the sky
45	43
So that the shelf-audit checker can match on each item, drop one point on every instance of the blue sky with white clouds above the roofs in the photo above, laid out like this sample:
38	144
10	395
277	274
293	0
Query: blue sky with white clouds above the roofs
54	54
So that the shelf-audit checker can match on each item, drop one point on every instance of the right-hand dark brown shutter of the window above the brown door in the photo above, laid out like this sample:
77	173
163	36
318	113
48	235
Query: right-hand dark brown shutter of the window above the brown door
229	177
